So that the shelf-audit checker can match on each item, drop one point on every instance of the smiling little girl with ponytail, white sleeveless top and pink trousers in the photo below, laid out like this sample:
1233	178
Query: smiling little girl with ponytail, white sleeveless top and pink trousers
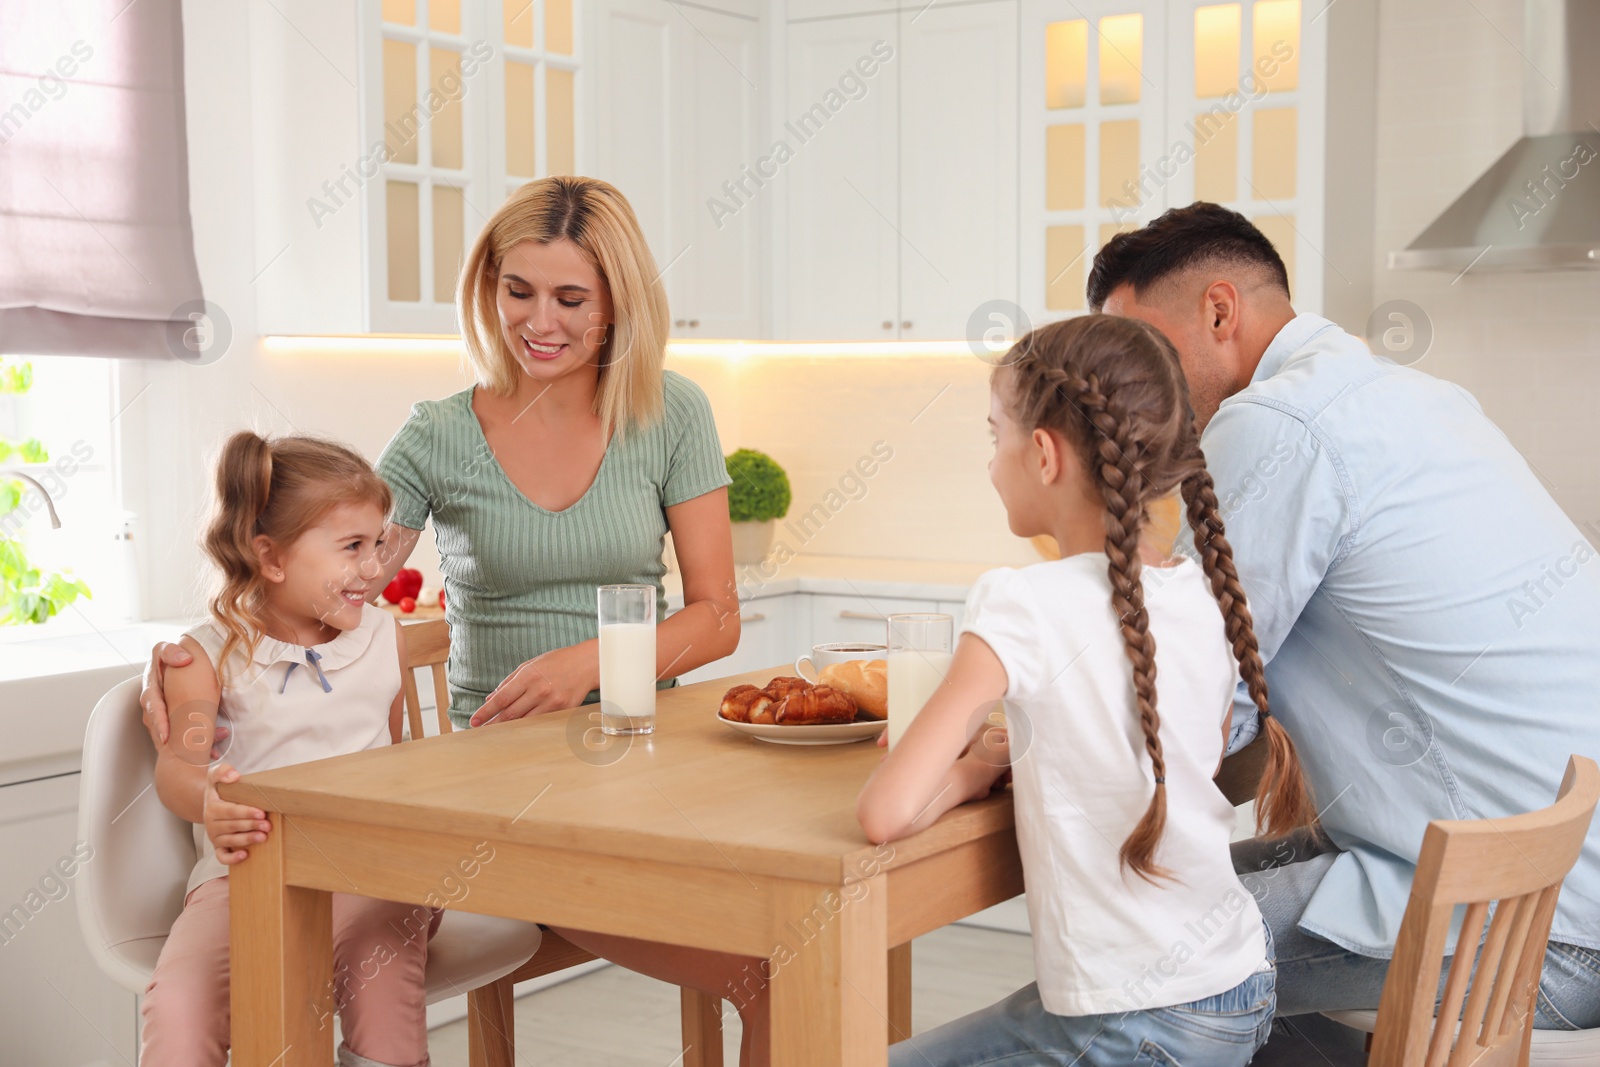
300	668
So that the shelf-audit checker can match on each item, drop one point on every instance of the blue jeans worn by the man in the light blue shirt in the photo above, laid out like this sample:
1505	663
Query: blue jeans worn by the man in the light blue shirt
1318	975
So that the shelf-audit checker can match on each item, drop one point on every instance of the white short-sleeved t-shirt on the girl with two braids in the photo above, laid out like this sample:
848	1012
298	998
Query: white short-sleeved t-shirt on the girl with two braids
1106	940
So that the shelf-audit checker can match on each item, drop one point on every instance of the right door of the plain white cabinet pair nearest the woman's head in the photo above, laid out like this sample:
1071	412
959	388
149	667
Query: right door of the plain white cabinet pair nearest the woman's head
716	282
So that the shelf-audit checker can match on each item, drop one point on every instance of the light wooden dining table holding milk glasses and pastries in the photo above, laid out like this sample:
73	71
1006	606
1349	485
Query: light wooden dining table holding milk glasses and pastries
694	836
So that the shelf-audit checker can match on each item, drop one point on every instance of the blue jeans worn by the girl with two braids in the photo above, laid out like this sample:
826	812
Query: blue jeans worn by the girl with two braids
1222	1031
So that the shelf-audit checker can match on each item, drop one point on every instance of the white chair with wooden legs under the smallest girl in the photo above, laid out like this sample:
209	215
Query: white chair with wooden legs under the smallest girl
134	890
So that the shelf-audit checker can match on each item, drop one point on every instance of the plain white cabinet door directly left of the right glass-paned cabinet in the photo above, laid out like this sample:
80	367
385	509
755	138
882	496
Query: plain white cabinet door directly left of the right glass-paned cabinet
959	169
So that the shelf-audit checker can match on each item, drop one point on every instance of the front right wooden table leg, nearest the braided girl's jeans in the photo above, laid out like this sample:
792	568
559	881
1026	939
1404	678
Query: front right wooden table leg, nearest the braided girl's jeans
830	986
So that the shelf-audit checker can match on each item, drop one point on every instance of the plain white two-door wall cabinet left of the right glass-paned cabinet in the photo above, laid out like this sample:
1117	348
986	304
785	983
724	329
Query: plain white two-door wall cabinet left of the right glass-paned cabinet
902	196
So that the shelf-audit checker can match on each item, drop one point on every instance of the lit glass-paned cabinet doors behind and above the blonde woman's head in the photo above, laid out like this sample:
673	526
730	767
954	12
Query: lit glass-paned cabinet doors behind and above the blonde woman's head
468	102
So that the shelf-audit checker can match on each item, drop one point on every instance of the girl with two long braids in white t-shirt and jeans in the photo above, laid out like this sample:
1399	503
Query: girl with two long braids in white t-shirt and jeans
1116	669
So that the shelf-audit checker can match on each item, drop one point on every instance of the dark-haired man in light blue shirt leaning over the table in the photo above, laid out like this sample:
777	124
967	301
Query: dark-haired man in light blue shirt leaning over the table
1430	617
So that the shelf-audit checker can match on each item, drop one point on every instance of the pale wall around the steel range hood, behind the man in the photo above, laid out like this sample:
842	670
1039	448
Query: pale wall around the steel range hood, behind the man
1526	345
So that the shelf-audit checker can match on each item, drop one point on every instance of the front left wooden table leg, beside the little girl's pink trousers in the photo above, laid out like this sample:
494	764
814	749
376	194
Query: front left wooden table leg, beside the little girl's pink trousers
282	962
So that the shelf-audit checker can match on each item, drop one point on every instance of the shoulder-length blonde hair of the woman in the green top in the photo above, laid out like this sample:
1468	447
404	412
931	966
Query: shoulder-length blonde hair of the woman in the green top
598	218
